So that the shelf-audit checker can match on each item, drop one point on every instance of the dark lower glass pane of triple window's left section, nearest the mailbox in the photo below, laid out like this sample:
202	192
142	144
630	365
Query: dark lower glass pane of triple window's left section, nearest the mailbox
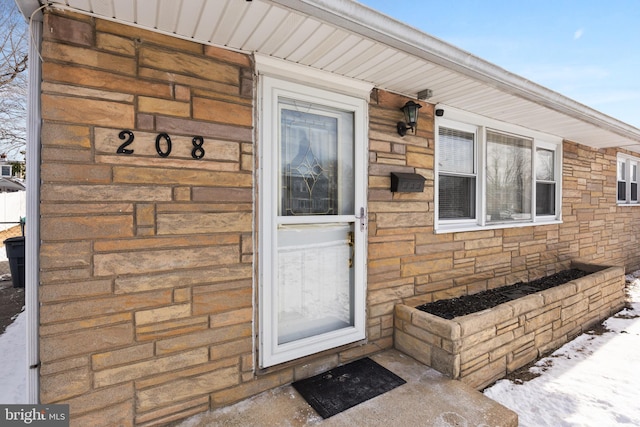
456	197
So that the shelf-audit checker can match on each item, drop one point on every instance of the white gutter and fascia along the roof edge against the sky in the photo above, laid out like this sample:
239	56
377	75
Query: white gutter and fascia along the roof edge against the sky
384	29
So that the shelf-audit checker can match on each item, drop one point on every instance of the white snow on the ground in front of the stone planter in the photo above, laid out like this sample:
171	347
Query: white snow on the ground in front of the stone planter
591	381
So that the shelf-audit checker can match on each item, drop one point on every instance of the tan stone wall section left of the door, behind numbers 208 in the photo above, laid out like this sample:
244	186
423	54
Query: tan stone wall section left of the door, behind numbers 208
146	262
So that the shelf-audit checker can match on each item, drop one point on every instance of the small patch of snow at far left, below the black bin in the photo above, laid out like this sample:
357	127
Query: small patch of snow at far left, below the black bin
13	362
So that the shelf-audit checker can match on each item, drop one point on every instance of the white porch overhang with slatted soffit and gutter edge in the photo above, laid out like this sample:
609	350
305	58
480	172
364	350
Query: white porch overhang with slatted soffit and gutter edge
352	40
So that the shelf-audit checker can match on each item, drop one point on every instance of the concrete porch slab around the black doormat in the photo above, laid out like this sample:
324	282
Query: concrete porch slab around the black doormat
427	399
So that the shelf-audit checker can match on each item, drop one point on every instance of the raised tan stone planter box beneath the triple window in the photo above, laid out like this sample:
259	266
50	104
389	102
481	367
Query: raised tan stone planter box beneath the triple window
483	347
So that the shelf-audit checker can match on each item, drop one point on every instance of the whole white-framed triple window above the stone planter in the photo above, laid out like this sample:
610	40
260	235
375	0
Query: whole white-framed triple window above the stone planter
491	174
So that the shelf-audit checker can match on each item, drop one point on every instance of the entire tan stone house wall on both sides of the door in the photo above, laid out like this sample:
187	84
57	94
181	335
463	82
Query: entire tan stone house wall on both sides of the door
147	263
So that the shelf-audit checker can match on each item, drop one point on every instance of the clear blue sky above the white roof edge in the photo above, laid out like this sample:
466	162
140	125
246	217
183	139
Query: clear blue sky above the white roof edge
584	49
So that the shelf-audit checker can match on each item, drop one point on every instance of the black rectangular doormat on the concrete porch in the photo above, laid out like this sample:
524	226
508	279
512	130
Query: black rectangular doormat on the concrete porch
346	386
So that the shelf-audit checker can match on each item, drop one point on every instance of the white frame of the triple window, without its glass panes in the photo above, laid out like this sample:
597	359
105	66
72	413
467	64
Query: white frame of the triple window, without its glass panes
463	120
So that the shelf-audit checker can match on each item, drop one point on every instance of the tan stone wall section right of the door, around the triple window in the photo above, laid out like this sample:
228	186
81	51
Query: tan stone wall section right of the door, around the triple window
409	263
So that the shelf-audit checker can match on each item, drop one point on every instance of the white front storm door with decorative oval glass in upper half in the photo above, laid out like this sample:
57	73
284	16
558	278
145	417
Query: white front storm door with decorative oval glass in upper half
313	229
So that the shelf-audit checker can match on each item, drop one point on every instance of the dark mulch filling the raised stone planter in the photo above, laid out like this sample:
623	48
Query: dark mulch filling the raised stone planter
467	304
